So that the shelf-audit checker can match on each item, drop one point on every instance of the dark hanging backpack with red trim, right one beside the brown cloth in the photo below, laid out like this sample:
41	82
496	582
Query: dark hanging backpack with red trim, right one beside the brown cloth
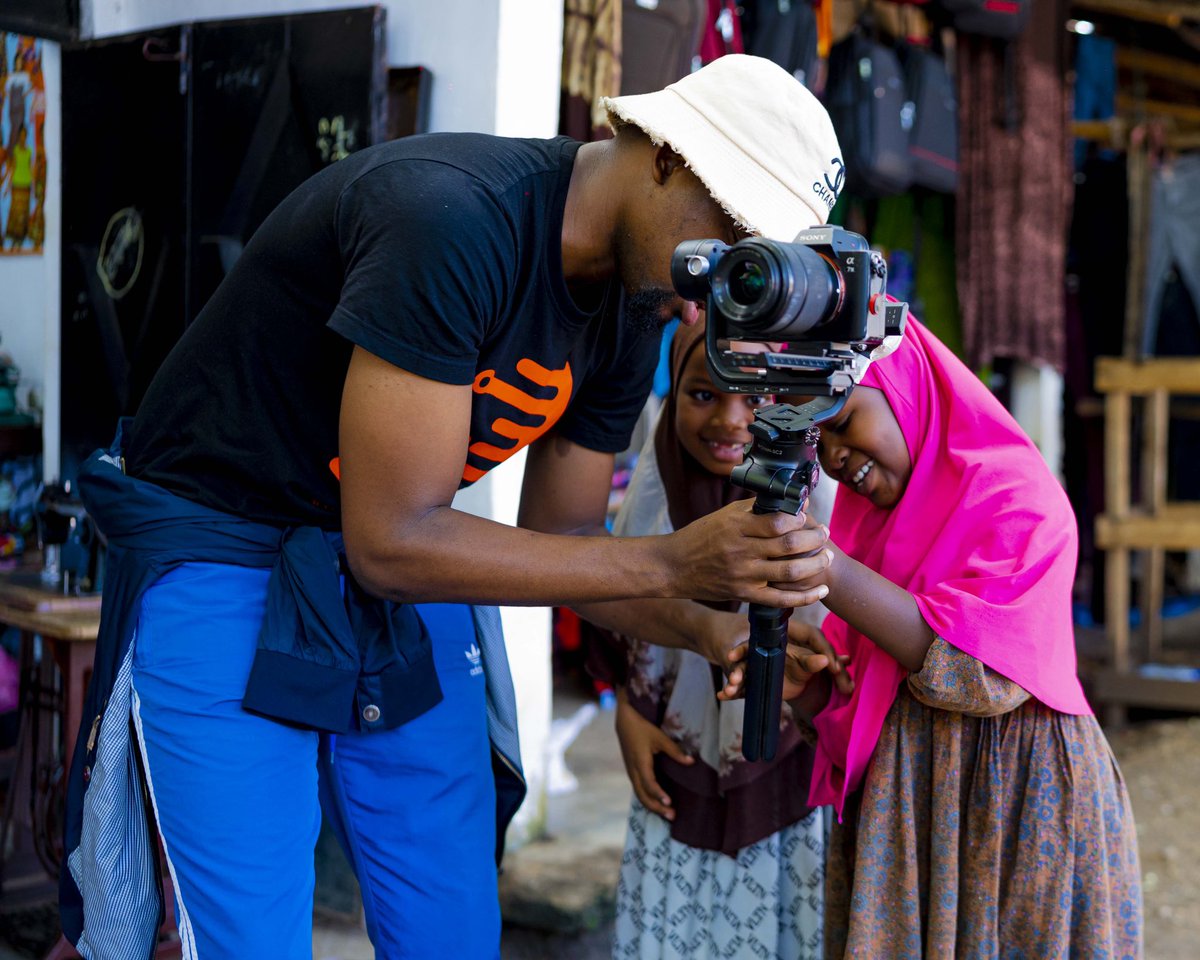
934	135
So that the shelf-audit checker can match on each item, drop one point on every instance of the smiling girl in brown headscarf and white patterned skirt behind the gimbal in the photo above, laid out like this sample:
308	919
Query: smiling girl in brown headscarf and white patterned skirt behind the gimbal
723	859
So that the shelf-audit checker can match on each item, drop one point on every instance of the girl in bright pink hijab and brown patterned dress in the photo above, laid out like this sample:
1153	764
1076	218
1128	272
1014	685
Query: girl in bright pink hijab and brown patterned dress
981	813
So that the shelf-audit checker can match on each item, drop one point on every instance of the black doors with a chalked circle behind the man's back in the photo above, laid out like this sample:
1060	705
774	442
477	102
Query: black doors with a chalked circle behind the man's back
177	145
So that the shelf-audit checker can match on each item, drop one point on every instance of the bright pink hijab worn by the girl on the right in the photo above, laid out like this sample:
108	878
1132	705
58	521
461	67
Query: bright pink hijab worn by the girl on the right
983	538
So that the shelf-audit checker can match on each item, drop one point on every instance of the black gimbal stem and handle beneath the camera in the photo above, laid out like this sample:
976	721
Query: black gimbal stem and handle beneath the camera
781	466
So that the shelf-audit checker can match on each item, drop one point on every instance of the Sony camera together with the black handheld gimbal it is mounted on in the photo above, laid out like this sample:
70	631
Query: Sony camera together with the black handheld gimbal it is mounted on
820	307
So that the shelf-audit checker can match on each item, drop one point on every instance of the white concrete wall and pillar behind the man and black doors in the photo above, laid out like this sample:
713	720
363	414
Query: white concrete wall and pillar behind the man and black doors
496	67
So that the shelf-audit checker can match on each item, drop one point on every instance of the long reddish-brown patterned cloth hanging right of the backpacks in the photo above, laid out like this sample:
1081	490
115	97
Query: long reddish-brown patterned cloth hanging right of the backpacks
1015	191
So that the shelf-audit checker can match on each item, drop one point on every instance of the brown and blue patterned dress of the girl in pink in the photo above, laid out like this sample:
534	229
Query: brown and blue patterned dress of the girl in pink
989	826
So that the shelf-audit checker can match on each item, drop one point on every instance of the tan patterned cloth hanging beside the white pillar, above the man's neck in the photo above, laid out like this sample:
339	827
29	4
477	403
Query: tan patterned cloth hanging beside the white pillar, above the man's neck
592	52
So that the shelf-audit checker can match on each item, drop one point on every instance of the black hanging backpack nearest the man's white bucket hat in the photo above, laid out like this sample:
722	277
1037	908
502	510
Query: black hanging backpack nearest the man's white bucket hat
866	98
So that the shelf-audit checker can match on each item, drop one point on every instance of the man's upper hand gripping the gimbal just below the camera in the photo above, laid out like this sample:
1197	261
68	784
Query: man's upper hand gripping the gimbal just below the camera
736	554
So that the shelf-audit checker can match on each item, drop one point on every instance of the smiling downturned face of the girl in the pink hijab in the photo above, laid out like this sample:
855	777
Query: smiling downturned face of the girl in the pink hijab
865	451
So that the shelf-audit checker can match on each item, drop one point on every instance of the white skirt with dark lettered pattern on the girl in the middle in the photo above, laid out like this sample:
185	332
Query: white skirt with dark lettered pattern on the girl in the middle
682	903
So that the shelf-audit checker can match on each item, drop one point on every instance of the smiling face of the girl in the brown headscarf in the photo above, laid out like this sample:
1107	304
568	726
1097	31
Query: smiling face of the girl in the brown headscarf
713	427
